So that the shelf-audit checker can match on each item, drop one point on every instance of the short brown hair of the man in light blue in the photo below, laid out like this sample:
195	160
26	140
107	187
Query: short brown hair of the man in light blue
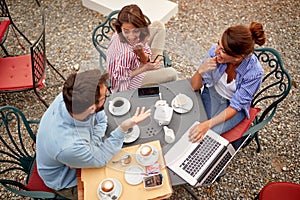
81	90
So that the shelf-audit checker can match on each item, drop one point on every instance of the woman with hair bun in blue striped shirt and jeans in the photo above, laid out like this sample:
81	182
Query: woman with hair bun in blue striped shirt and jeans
231	74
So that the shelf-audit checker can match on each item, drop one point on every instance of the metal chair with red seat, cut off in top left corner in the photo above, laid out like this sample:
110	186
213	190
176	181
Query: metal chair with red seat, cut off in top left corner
4	29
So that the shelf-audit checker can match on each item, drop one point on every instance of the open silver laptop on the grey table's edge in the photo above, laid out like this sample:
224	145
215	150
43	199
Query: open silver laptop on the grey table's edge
200	163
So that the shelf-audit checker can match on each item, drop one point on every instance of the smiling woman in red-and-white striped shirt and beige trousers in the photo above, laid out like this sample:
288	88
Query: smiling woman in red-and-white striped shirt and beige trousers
129	54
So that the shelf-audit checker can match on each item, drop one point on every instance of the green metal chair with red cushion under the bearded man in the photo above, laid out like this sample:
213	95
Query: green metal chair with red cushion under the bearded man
18	172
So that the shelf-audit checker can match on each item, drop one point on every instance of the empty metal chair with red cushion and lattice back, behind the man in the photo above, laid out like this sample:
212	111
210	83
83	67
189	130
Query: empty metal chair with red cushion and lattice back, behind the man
25	72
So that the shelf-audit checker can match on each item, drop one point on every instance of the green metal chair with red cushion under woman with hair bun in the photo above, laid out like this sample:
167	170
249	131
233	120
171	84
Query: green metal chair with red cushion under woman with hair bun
276	85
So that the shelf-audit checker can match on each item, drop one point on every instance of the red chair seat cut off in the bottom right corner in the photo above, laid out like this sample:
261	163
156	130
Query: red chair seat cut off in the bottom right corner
279	191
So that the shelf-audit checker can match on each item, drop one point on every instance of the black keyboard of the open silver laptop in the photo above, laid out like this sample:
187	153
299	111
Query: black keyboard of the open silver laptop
193	163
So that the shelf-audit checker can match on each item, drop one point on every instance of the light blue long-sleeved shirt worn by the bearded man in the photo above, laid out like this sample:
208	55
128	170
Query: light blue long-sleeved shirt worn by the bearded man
64	144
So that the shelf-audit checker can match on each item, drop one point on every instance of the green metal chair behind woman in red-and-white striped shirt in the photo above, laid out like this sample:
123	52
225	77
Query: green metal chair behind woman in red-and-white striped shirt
102	34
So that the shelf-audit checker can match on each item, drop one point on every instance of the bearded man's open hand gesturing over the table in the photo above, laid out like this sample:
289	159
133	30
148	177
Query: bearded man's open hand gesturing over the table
135	119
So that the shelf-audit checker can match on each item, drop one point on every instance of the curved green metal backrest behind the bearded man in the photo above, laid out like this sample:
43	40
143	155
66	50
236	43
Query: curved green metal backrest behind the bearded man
17	140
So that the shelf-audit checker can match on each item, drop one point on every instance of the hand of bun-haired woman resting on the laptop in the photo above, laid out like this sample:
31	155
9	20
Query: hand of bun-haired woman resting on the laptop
198	131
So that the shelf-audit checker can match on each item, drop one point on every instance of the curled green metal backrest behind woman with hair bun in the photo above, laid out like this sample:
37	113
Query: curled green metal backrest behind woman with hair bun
275	87
